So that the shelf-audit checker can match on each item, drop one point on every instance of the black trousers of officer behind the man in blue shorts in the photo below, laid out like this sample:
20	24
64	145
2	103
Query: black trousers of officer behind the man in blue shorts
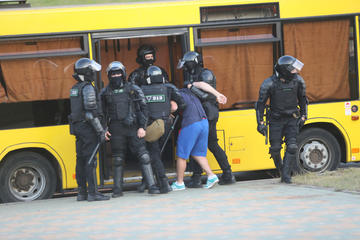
215	149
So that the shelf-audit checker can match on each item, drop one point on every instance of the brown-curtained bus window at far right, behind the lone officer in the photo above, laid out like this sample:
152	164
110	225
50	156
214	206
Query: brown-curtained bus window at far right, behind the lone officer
311	42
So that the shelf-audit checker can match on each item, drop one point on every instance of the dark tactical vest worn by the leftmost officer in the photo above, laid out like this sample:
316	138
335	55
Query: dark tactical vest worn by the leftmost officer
77	103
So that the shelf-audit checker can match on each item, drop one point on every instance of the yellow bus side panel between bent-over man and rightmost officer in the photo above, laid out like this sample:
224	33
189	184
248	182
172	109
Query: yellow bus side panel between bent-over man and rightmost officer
244	146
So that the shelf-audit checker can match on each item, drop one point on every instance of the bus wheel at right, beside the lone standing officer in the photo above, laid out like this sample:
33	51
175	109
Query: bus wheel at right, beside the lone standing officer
318	151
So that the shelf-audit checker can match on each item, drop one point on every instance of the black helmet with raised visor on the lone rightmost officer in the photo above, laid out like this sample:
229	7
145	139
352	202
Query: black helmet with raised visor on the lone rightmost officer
285	67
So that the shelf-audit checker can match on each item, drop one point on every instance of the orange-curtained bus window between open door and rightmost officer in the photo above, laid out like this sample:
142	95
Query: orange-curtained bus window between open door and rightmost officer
241	58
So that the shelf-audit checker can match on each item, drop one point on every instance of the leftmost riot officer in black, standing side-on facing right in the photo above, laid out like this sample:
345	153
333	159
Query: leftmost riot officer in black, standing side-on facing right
85	125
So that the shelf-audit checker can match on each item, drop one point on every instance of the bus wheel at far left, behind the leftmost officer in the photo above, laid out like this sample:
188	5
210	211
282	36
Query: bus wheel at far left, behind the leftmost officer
26	176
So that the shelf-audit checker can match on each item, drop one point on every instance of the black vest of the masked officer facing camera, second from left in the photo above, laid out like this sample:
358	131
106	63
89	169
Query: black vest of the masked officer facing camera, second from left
117	103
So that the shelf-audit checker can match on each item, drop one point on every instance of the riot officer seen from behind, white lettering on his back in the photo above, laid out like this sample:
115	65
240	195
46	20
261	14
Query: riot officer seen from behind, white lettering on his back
158	95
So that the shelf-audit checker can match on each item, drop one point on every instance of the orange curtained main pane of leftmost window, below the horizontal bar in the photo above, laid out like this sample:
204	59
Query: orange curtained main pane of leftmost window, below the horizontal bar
38	78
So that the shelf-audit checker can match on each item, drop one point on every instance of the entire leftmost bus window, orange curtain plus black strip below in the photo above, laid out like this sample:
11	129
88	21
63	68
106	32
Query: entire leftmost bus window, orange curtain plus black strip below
35	78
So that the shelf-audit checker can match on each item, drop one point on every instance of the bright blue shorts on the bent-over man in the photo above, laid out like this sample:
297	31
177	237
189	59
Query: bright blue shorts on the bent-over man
193	140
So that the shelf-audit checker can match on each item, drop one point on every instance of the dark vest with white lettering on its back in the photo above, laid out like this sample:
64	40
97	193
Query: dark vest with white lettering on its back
158	100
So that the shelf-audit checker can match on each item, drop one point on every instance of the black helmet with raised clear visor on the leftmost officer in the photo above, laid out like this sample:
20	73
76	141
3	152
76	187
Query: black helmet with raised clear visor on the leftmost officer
85	68
